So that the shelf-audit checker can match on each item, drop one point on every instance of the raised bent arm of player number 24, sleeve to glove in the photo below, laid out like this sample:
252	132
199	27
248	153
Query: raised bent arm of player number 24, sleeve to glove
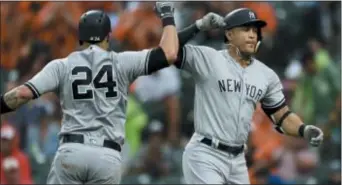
137	63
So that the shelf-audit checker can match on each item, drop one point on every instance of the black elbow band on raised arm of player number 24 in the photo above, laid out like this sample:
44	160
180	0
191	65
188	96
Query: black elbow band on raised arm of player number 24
157	60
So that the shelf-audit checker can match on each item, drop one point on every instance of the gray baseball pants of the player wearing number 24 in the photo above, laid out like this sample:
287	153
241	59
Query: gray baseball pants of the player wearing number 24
76	163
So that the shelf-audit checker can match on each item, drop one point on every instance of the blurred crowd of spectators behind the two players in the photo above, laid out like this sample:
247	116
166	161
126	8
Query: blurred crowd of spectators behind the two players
301	43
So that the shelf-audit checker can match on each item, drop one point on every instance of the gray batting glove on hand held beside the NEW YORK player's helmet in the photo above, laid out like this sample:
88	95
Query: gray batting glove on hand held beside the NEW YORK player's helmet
210	21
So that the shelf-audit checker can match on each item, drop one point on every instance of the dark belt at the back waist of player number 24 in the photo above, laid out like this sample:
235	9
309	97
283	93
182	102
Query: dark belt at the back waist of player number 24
76	138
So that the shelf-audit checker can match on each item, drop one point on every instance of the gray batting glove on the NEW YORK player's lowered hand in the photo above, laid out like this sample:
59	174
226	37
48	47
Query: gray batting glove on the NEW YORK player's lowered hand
314	135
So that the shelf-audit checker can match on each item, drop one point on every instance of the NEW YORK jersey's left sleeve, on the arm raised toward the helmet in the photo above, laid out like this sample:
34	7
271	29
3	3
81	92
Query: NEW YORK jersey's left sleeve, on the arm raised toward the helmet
195	59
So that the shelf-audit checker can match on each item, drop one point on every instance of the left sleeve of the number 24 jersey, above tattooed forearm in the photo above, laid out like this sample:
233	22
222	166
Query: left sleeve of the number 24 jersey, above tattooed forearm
48	79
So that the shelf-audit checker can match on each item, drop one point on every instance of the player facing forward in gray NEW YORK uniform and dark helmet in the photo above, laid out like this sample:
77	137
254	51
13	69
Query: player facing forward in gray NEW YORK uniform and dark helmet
229	84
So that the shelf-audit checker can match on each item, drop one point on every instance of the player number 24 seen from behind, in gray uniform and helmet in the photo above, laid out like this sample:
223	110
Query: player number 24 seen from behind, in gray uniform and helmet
92	85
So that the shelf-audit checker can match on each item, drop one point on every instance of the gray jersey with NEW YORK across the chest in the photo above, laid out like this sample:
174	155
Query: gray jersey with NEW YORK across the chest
226	94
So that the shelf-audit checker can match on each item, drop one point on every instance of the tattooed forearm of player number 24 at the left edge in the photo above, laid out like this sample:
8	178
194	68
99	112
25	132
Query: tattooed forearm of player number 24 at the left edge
15	98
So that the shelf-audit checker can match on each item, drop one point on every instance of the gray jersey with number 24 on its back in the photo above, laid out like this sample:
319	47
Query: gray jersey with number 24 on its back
92	86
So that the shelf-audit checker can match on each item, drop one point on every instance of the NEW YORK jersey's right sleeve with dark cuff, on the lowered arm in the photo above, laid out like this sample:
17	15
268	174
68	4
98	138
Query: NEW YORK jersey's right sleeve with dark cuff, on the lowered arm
274	98
